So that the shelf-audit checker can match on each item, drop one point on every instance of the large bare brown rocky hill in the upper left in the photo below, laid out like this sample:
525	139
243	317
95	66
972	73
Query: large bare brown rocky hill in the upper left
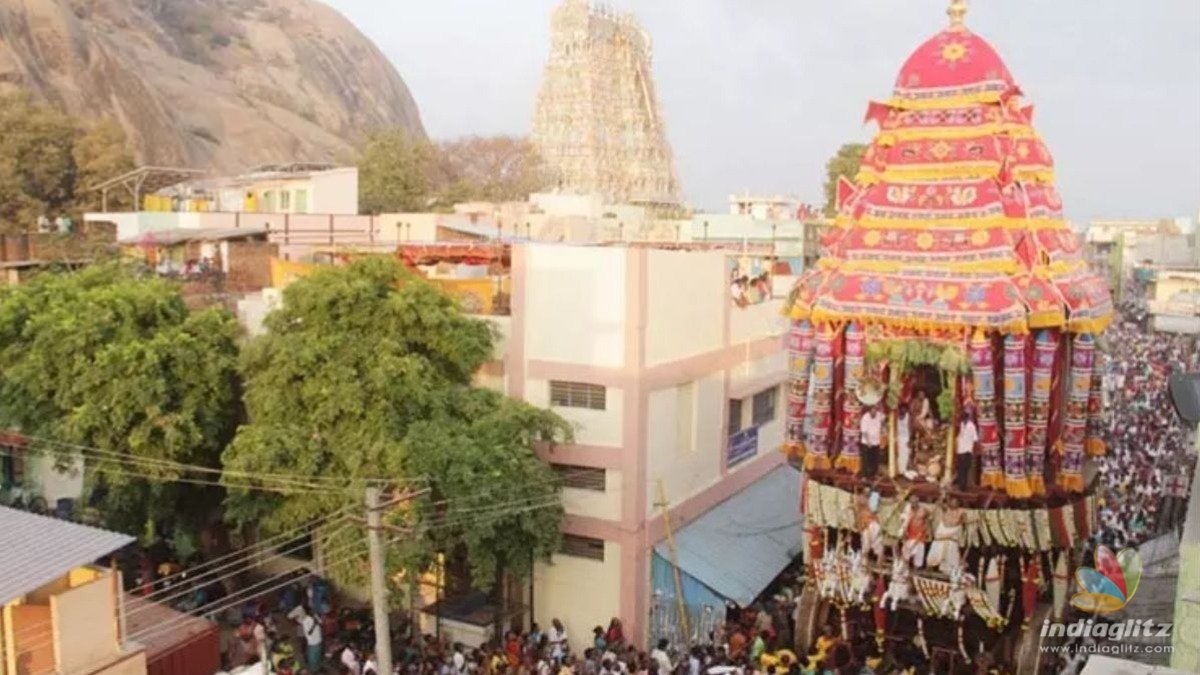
223	85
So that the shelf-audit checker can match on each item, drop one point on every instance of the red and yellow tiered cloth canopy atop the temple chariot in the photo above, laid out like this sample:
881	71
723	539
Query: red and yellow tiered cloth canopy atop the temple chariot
955	220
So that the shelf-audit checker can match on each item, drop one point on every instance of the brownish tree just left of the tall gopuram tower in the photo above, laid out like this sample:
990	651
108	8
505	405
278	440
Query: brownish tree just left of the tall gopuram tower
497	169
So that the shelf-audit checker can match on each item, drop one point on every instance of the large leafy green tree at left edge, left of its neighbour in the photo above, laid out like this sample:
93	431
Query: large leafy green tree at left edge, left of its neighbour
117	365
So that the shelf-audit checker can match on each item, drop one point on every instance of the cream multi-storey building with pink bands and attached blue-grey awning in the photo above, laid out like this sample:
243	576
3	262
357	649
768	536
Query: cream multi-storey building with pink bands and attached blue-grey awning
673	387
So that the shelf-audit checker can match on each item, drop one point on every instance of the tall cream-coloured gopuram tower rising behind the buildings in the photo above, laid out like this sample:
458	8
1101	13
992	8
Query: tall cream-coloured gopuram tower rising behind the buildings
597	122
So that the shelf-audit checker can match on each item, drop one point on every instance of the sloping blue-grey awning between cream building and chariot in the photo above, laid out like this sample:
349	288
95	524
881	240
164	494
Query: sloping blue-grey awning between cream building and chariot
739	547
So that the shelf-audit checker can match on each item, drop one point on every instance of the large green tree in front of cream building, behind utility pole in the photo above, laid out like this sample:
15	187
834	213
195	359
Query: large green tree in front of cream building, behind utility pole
367	373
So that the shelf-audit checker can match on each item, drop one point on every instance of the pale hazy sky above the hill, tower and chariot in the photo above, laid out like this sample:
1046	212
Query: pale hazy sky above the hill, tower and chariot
759	94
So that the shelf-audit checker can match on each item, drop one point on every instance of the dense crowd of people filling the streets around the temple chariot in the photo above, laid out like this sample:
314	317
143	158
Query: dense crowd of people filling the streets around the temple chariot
1143	481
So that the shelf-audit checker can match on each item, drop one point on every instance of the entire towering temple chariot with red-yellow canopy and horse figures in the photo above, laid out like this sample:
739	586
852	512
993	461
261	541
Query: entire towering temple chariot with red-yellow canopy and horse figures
945	395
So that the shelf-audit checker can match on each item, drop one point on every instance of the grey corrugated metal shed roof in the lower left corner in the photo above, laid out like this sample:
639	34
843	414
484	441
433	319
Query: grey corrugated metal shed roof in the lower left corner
39	551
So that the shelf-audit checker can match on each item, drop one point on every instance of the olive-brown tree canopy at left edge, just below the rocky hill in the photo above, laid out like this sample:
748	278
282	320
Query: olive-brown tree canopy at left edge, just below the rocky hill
49	162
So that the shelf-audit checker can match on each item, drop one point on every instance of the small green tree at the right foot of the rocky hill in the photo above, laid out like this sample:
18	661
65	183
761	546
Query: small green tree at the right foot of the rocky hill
394	174
